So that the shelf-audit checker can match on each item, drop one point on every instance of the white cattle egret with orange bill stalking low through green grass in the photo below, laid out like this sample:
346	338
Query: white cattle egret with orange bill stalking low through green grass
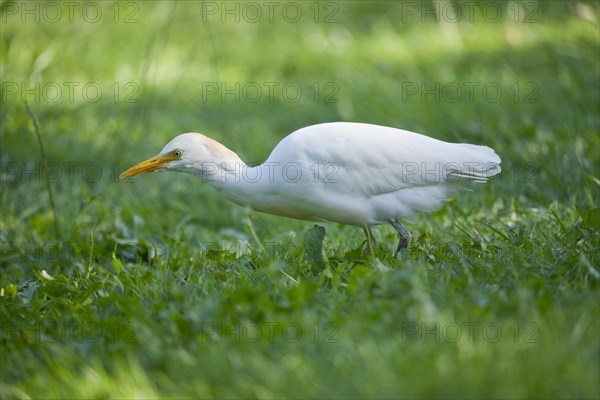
350	173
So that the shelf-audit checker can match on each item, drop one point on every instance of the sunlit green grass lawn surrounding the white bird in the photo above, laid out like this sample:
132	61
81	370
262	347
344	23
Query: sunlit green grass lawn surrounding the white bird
158	288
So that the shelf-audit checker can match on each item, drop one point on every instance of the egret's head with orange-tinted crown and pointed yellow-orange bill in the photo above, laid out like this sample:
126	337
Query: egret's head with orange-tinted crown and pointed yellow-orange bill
186	153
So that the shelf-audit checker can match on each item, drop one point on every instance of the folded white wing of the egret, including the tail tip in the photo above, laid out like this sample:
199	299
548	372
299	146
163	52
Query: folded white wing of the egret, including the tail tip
386	165
